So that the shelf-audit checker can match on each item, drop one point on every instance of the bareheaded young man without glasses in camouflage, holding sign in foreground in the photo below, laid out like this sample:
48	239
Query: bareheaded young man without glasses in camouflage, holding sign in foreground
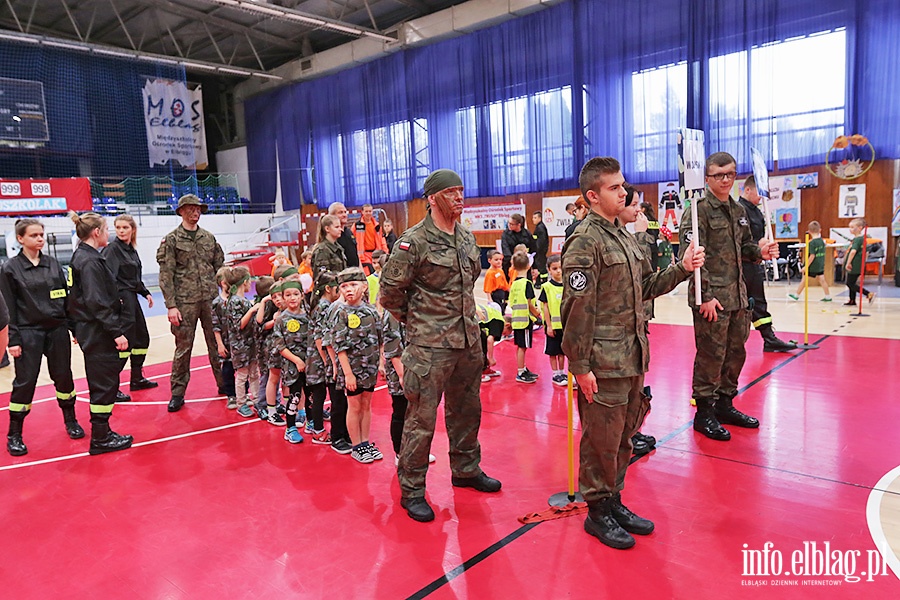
606	279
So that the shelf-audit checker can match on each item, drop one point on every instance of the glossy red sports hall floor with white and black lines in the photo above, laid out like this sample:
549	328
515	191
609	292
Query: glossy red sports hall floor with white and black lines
209	505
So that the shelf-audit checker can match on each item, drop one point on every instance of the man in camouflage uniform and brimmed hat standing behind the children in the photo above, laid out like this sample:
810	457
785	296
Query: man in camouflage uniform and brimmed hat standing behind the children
188	258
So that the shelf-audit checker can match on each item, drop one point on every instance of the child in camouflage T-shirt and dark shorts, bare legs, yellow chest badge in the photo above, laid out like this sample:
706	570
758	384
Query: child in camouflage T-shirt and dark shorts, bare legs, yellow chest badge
356	340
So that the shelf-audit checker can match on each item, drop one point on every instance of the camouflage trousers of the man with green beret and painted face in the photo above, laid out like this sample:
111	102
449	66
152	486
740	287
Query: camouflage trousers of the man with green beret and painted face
429	374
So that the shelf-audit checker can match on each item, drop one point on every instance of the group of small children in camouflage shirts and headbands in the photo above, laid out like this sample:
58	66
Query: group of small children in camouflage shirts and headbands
304	346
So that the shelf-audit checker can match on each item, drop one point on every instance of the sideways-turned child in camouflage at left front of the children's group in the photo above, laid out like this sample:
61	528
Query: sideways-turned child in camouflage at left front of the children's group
239	313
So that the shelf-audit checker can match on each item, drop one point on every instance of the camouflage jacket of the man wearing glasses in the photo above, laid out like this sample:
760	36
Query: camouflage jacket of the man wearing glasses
725	234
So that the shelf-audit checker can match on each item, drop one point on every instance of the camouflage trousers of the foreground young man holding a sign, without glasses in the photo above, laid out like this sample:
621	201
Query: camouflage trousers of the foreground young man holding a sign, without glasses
607	424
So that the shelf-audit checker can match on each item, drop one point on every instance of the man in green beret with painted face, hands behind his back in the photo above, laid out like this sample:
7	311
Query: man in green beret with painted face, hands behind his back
427	284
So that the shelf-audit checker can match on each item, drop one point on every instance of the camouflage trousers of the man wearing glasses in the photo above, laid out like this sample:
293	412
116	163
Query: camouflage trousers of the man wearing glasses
720	353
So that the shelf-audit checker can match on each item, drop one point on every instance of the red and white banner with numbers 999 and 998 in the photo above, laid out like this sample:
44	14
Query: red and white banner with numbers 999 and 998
44	196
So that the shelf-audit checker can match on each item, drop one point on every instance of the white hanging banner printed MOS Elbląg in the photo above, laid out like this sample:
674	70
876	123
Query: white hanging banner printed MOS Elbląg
173	116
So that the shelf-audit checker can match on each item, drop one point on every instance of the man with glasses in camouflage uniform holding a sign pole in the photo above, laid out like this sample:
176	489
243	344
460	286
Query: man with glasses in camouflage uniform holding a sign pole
722	321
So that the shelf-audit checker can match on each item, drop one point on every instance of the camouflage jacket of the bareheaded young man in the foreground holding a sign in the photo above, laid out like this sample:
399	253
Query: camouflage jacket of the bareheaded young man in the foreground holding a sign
606	279
